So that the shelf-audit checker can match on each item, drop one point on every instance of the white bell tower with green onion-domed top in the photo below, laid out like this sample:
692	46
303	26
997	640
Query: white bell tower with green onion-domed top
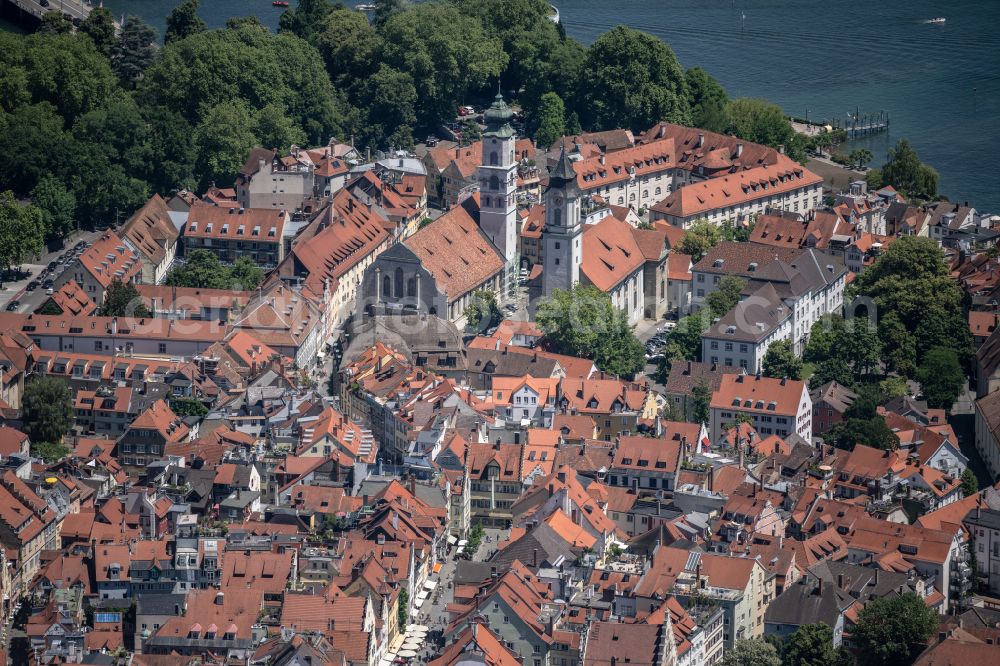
497	176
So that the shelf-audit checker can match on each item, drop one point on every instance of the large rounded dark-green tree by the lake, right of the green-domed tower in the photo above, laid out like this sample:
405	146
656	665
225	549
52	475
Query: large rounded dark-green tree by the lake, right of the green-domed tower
633	80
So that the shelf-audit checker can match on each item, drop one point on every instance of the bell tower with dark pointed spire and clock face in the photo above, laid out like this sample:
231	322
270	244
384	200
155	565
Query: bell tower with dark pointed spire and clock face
561	241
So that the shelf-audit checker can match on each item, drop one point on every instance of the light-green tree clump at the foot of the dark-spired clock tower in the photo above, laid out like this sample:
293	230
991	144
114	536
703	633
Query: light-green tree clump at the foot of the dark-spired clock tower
583	322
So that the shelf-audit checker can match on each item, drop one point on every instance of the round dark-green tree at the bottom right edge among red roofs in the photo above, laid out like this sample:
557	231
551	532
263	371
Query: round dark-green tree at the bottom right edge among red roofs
890	630
